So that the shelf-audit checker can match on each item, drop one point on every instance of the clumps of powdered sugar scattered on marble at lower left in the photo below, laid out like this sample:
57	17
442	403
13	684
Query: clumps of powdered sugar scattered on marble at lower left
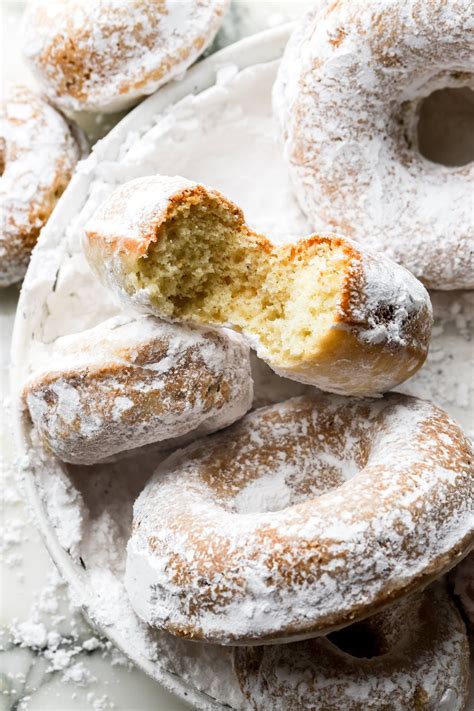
53	640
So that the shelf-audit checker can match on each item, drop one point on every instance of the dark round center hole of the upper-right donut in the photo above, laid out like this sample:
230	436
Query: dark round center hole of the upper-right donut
446	127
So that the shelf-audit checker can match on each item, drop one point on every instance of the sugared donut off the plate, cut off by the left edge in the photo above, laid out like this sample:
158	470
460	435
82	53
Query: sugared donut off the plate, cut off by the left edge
39	150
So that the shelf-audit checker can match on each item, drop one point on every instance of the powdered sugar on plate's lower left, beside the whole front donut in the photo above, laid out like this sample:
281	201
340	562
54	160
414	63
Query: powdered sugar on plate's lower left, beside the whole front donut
106	500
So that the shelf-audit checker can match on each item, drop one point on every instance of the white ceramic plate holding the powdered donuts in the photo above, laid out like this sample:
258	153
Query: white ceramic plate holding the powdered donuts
214	126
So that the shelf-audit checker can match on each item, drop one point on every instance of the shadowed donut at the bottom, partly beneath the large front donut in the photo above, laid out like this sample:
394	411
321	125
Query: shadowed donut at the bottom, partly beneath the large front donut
412	657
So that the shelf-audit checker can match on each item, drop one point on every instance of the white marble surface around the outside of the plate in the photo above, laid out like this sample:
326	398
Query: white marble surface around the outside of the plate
50	659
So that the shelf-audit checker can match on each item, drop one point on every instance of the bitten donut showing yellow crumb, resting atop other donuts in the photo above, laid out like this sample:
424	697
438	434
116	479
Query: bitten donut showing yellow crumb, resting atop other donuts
320	310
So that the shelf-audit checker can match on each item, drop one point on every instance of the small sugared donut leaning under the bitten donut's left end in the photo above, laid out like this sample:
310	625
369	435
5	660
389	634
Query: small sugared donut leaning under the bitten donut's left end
131	382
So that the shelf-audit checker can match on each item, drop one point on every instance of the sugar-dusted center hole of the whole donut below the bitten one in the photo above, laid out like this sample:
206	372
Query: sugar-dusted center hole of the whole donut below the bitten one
279	464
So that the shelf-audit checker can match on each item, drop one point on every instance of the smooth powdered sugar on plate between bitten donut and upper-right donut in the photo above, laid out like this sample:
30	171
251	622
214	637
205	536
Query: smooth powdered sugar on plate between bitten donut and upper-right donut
242	134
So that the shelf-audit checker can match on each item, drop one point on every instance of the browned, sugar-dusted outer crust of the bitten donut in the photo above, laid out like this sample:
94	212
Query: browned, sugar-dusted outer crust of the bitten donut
381	323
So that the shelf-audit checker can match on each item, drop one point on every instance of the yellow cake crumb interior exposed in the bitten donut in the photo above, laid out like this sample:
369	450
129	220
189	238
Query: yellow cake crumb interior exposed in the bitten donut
204	267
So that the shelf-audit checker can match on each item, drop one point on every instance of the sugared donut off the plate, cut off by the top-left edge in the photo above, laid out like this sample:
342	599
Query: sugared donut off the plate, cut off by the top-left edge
104	56
